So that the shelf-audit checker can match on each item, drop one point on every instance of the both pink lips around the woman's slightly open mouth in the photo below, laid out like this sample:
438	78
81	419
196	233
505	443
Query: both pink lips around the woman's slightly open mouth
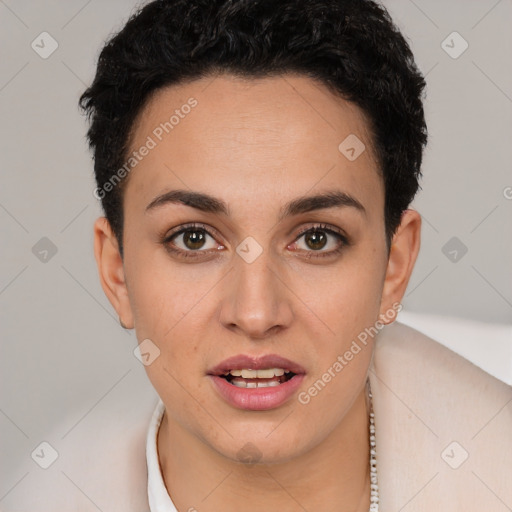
256	399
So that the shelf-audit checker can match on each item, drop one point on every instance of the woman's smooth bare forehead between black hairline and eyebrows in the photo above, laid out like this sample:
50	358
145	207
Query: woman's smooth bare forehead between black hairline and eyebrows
238	138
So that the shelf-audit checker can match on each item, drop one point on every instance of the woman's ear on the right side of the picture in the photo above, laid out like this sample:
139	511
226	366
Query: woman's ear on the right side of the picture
402	257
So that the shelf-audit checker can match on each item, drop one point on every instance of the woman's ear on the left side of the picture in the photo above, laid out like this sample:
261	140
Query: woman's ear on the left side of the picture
111	271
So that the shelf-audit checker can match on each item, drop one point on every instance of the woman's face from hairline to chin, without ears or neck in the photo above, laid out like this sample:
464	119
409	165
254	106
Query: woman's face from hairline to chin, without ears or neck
270	273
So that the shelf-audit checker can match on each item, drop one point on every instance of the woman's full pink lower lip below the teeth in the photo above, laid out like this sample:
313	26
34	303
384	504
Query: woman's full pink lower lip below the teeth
256	399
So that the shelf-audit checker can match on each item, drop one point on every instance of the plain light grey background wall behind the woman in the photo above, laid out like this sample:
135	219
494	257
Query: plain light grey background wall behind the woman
63	351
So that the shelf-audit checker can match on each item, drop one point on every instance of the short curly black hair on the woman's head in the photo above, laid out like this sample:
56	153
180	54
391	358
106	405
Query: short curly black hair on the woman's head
350	46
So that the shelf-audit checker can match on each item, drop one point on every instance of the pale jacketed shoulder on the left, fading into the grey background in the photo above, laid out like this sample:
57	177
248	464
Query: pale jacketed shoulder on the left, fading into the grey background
101	457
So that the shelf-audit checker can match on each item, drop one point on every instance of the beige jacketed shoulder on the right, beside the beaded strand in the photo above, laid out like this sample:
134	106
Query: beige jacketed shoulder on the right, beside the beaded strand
443	426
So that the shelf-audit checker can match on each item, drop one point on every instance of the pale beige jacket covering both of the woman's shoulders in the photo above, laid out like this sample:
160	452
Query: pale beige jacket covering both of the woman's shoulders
444	440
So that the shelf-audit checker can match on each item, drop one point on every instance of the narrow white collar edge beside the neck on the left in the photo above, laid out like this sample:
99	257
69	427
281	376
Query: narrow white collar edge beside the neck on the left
159	499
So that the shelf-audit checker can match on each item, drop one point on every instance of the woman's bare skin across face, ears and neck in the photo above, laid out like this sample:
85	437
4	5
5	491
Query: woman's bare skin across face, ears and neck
257	144
